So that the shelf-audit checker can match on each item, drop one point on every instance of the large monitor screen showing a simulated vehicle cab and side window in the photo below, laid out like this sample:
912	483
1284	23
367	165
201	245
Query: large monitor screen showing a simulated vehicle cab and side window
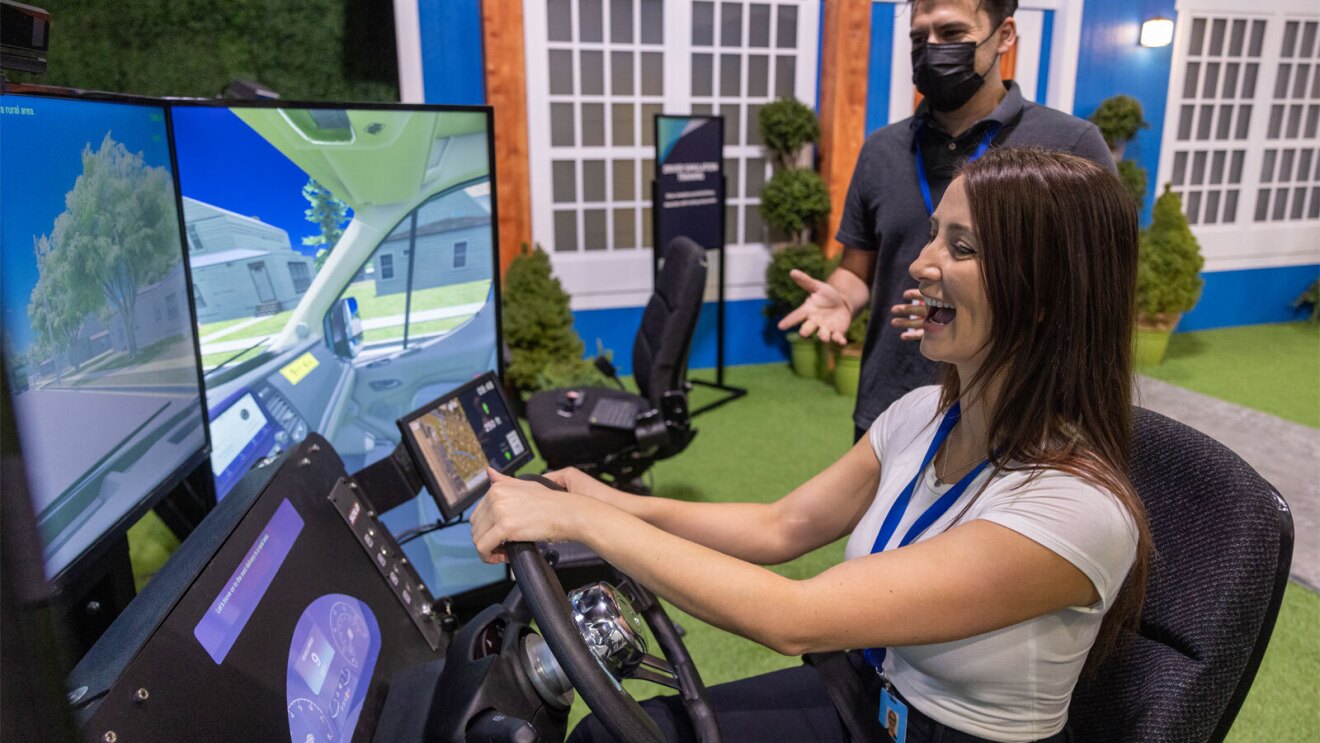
344	267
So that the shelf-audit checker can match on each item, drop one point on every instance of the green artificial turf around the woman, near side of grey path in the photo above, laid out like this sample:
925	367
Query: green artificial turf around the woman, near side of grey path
787	430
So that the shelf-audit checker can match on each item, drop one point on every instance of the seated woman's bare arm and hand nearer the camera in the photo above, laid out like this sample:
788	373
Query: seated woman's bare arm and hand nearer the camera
971	580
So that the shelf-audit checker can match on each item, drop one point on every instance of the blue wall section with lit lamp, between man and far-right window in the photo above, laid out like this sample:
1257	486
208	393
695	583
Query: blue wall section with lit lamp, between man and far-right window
1111	63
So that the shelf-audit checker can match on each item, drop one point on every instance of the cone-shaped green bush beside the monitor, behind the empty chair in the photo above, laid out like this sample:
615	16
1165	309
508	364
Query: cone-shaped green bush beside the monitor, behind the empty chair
539	328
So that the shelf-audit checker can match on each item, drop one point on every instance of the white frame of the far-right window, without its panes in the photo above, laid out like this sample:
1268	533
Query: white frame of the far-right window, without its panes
1245	243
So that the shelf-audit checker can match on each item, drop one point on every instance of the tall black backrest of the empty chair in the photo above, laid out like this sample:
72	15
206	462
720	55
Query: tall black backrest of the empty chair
661	350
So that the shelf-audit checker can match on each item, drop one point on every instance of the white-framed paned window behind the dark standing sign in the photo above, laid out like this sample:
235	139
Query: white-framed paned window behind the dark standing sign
600	72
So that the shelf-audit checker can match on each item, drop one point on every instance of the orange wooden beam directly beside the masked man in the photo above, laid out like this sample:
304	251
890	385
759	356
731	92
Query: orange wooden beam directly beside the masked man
845	55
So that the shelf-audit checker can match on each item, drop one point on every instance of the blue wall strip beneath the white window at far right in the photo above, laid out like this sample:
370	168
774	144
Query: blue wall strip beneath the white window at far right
1249	298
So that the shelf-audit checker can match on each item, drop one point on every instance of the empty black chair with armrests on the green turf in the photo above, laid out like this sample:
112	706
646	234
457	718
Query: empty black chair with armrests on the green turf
614	435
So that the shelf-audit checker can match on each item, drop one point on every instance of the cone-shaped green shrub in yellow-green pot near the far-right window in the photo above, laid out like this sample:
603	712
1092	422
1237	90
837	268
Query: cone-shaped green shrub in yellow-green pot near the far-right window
1169	280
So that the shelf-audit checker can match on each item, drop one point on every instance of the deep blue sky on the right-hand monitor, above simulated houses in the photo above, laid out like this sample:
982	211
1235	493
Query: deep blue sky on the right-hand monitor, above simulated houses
226	164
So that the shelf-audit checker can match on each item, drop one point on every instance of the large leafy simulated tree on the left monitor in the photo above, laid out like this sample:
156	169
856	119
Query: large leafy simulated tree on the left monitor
117	236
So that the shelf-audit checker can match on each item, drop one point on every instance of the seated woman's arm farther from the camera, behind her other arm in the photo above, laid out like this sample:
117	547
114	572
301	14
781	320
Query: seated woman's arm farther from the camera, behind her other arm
815	514
